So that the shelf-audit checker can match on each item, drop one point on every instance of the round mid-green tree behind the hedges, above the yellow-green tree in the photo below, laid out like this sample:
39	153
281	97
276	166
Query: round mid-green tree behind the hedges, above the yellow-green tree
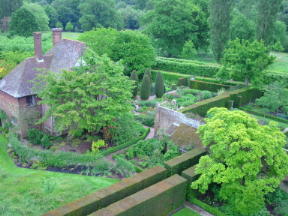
244	60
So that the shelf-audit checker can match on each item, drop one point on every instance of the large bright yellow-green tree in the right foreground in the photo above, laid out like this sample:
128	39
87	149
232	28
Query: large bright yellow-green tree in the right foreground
246	160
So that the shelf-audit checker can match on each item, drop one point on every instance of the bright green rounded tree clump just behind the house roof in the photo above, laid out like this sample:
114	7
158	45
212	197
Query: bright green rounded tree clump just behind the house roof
132	48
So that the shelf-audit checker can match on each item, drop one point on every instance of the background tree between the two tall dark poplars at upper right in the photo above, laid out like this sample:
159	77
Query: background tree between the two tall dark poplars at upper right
242	27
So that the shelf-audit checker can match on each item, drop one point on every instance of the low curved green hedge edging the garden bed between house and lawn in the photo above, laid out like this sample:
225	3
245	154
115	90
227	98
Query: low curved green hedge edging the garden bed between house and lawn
64	159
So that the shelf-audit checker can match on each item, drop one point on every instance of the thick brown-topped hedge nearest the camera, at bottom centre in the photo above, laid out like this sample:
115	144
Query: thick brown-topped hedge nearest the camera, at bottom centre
157	200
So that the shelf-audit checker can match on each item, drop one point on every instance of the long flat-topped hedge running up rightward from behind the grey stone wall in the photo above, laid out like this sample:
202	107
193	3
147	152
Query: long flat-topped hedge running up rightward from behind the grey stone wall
236	98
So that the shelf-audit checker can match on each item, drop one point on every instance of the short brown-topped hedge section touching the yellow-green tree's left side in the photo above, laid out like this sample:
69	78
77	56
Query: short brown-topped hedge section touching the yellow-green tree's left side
184	161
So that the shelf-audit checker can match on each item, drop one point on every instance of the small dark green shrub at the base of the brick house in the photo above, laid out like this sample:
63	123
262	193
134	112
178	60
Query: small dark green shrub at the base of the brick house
38	137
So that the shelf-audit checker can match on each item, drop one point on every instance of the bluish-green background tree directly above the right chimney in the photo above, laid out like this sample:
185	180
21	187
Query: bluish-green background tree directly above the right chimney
68	11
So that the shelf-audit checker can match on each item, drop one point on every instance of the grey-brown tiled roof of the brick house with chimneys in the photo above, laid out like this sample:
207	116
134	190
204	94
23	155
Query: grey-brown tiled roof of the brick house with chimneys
63	56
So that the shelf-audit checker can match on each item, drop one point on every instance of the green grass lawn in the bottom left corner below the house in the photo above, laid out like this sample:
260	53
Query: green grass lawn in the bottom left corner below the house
34	192
